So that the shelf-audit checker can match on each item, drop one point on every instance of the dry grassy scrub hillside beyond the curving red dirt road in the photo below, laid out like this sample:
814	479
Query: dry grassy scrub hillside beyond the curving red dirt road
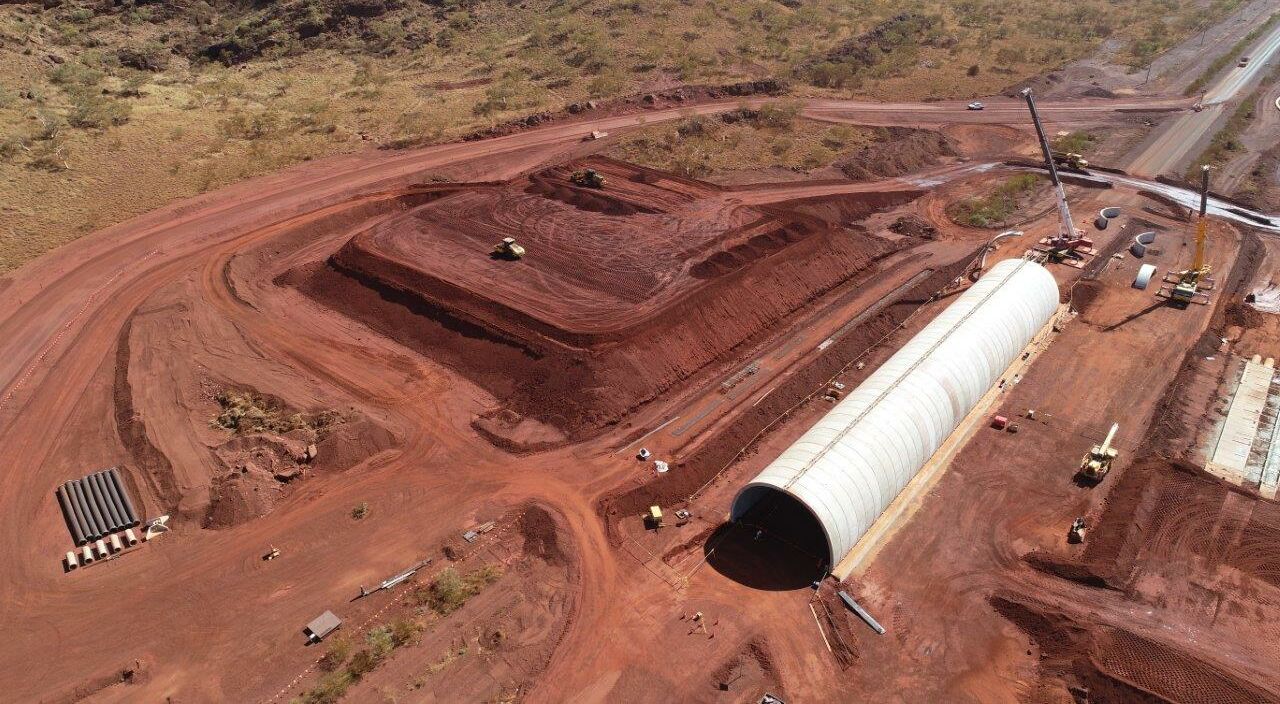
111	109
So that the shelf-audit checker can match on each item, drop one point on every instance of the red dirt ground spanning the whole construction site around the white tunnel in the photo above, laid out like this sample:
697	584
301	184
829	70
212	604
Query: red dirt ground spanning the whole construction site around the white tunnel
117	345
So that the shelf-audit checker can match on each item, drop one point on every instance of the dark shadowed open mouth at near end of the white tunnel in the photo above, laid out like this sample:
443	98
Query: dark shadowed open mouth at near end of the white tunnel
774	545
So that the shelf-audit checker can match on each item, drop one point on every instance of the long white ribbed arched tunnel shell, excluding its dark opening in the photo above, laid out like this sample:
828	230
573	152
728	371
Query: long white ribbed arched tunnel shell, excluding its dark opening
851	467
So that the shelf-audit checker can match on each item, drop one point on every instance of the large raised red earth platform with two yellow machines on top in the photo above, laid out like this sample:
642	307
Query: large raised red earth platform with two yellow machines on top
625	291
